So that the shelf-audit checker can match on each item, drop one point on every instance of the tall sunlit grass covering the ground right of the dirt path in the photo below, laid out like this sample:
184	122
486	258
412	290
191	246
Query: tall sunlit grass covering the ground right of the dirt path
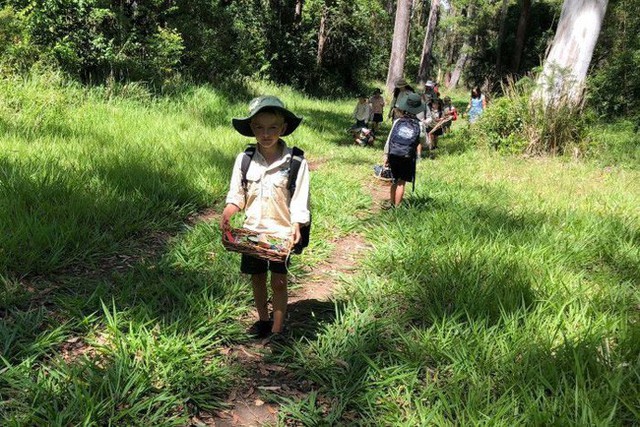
504	292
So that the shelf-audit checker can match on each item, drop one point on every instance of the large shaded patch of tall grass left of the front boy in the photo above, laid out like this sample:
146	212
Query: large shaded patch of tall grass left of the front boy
57	215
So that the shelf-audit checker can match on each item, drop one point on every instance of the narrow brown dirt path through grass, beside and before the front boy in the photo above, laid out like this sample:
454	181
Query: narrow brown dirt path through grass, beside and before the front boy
248	402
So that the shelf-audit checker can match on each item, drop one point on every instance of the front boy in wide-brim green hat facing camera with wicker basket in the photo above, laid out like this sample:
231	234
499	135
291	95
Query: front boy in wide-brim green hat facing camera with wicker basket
268	205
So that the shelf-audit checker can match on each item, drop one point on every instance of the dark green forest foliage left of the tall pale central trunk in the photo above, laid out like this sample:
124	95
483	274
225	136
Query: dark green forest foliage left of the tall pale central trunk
155	42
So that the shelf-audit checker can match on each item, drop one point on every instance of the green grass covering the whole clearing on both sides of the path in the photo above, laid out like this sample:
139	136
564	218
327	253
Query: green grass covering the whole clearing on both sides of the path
504	292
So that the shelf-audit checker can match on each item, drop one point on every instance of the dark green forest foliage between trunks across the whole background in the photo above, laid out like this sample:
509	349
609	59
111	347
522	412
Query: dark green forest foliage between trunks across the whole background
323	47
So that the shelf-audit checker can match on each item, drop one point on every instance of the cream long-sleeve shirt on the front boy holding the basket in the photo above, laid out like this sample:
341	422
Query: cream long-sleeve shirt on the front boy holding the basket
268	205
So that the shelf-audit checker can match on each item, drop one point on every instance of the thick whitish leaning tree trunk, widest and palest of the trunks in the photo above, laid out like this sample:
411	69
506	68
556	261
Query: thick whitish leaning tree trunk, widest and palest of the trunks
565	68
